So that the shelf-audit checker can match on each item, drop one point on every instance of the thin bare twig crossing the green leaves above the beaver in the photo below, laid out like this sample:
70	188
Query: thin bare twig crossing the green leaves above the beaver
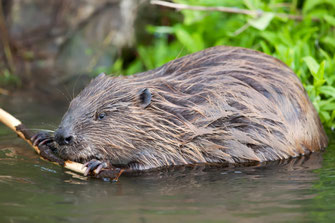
225	9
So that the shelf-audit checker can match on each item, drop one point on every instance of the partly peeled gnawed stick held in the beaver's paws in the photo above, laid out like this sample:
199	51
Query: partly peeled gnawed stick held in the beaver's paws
46	153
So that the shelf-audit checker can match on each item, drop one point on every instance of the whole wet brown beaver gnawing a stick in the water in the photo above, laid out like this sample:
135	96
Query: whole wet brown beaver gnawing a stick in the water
225	105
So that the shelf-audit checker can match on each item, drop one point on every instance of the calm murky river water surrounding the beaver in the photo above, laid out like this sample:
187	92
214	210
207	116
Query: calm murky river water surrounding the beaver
33	190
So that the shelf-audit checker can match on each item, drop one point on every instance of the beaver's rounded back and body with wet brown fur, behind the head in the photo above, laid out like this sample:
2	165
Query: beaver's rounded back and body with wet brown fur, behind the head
235	105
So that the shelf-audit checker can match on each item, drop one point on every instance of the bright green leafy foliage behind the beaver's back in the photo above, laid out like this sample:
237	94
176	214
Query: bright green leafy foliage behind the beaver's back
307	46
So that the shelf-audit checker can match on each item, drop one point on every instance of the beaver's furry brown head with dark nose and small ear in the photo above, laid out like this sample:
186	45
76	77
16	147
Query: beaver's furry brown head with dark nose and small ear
105	121
